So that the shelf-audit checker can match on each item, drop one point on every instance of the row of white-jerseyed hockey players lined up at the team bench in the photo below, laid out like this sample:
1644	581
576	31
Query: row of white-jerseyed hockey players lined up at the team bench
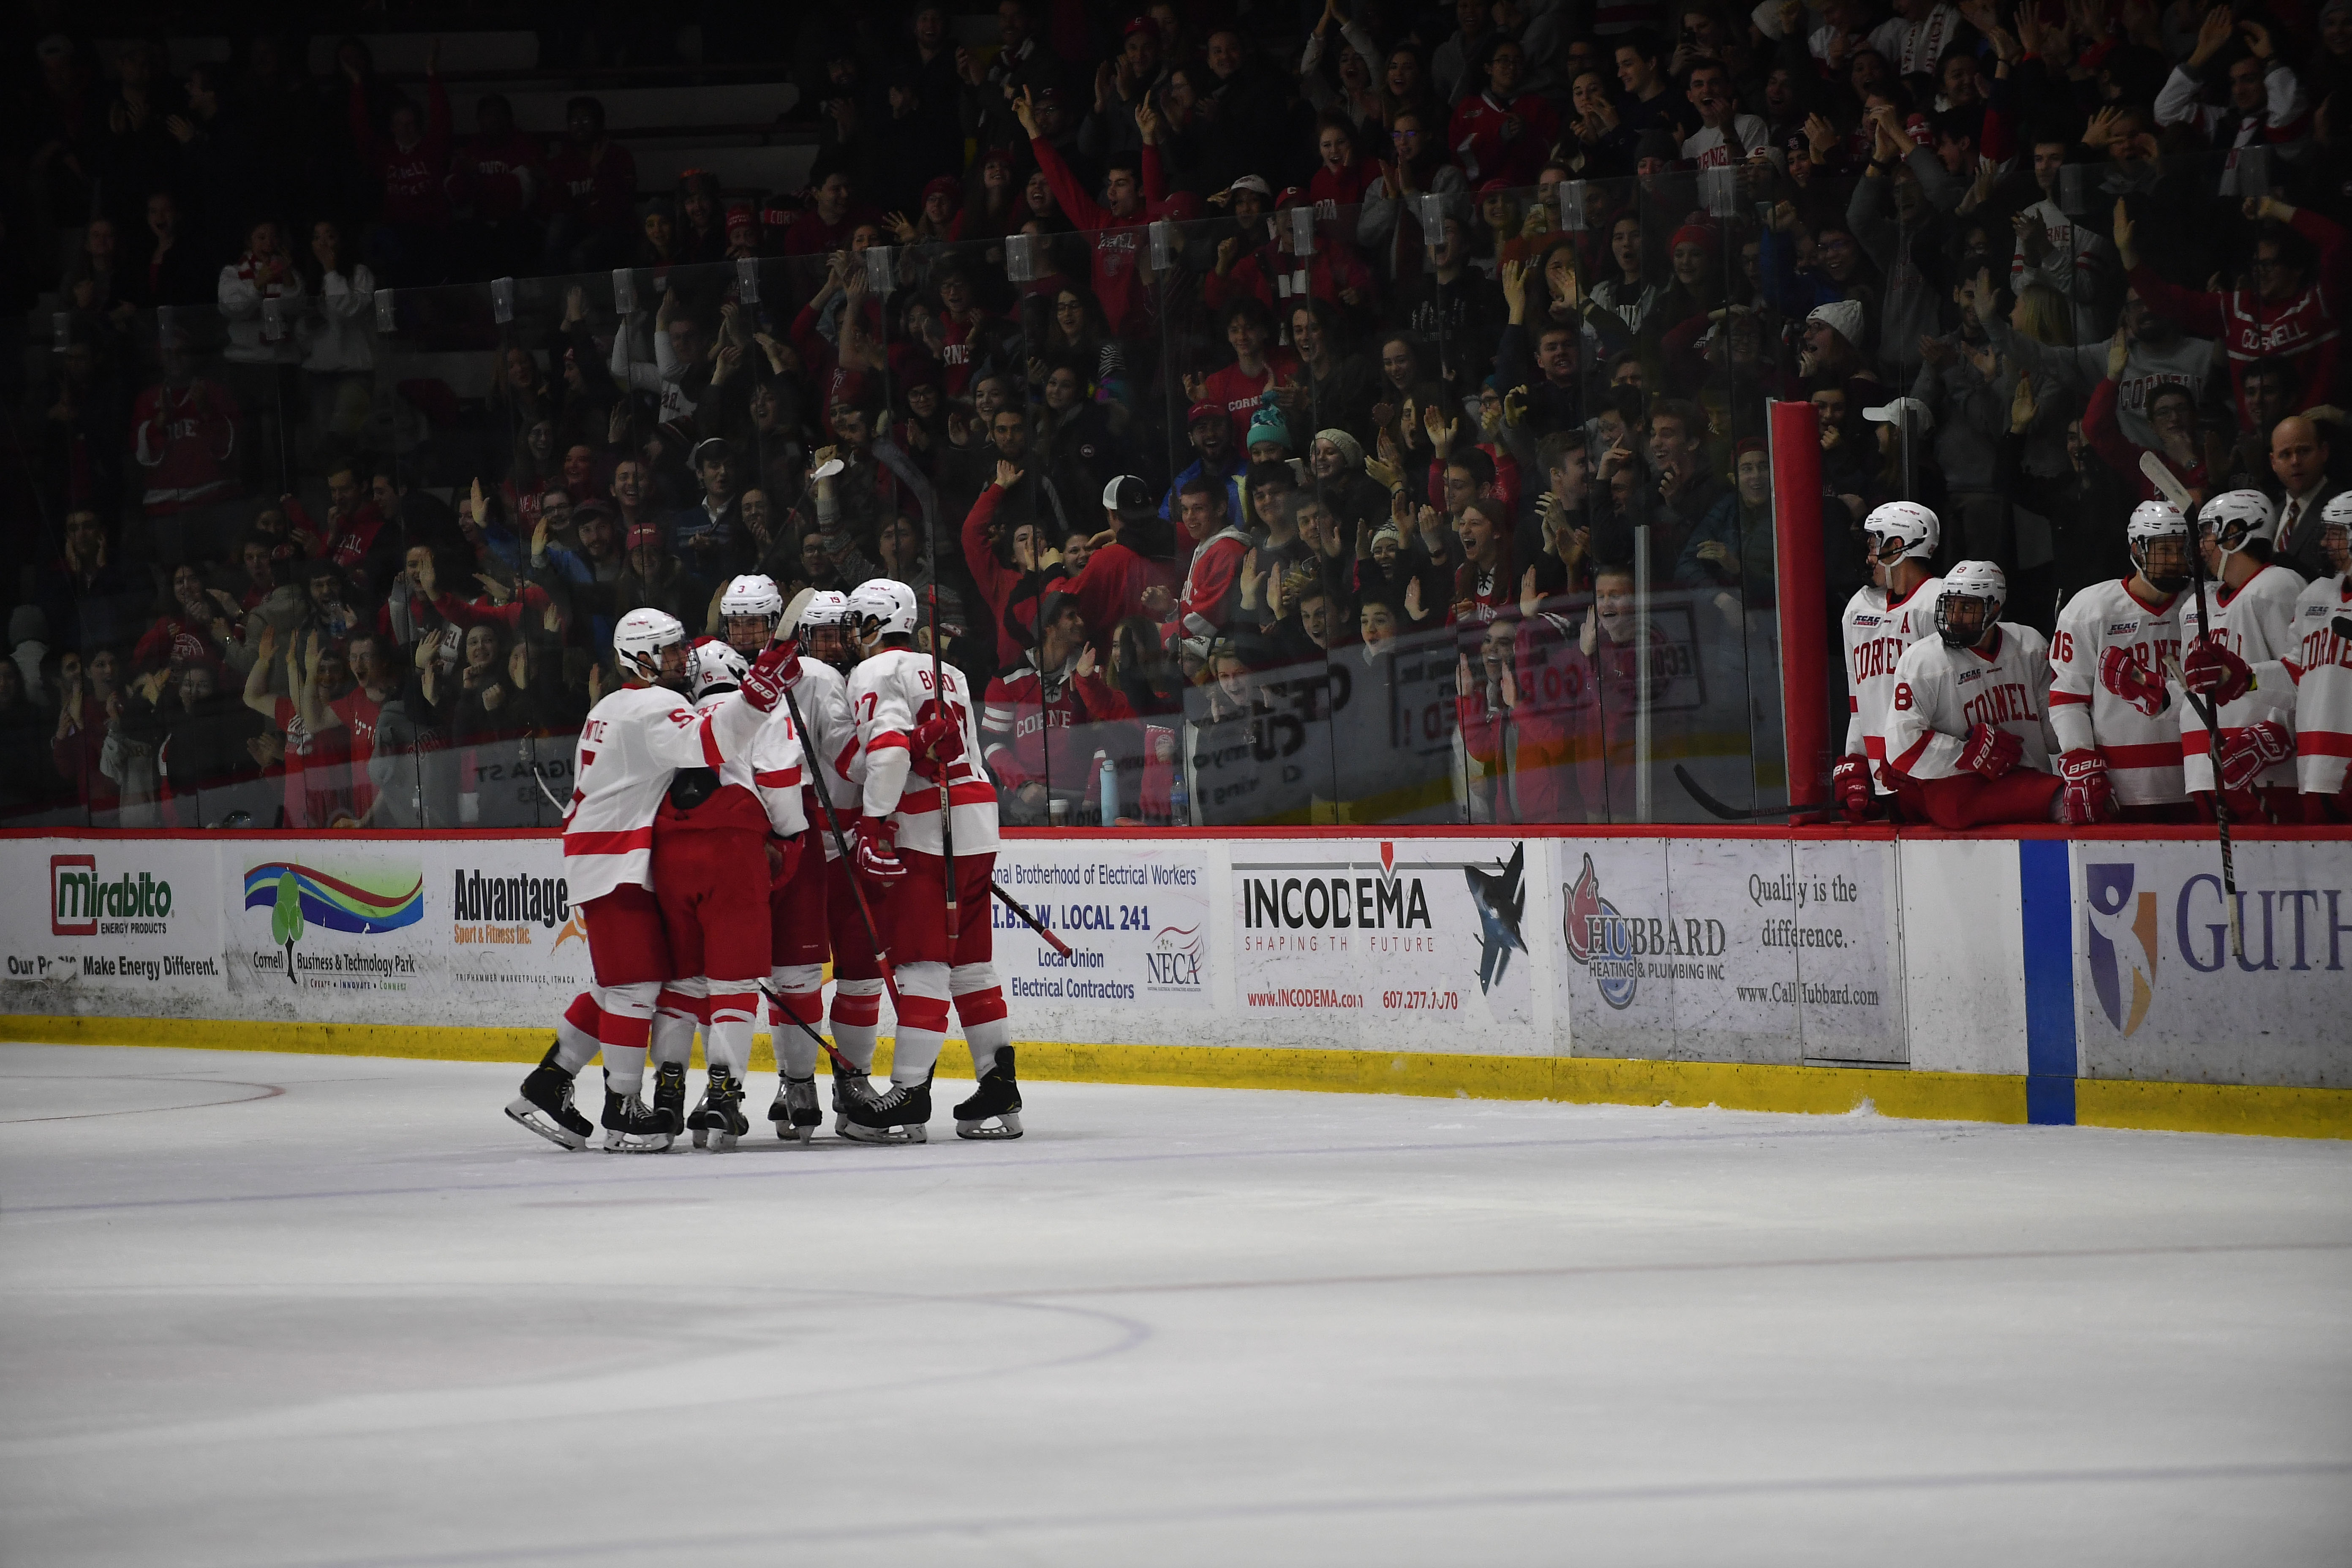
2160	692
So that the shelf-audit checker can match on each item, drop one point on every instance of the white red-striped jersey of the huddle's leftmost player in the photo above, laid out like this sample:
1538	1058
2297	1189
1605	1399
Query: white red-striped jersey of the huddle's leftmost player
629	749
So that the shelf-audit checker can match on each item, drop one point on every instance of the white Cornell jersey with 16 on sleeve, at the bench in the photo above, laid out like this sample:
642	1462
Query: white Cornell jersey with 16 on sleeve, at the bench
2141	751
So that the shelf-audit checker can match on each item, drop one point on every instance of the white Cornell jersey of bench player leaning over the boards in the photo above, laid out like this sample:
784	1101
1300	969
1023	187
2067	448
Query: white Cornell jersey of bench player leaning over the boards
1942	695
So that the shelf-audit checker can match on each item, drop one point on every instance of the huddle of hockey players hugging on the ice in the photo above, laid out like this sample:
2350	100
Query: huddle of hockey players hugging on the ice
747	812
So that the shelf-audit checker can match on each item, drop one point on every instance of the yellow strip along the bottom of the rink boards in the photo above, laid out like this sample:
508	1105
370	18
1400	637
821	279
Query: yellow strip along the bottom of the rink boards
1824	1092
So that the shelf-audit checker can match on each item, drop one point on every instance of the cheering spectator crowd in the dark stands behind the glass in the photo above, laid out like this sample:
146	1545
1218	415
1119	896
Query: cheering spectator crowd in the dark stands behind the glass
1283	415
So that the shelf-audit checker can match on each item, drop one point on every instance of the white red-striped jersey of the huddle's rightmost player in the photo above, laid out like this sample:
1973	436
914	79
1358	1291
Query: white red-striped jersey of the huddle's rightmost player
890	695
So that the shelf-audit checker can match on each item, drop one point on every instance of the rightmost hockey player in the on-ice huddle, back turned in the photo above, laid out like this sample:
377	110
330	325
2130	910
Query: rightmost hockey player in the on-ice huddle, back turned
921	744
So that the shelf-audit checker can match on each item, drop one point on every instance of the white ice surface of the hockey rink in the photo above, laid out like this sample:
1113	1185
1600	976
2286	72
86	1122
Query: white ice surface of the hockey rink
338	1311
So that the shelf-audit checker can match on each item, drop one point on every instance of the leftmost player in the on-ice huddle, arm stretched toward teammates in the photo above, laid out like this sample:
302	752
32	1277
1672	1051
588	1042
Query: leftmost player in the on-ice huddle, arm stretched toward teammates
632	744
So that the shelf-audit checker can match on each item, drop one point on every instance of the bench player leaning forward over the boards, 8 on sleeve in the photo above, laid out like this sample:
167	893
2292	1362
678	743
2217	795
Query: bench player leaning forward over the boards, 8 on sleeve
1970	739
